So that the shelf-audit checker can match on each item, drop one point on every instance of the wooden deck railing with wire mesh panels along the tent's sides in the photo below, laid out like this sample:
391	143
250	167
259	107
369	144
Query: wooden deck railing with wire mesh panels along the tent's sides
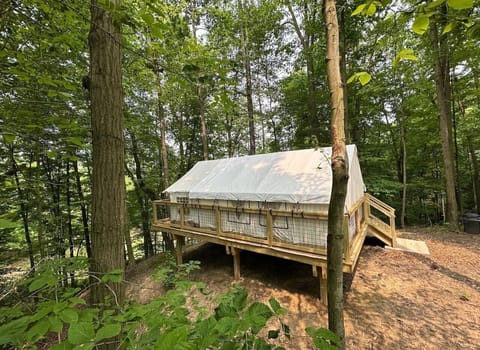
177	215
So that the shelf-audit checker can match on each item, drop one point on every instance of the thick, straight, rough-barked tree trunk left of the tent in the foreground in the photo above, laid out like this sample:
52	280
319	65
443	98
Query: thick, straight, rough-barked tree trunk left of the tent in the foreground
108	187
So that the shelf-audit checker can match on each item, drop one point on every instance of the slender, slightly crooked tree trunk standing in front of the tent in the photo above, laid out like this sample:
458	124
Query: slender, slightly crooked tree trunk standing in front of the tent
336	215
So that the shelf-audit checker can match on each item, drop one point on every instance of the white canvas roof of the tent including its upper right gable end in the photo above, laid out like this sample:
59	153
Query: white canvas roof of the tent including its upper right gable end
302	176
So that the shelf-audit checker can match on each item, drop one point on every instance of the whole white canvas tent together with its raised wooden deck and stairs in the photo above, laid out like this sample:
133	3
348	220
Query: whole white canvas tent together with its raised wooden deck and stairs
275	204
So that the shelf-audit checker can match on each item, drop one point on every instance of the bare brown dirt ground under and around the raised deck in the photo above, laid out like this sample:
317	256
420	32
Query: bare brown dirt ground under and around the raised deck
395	300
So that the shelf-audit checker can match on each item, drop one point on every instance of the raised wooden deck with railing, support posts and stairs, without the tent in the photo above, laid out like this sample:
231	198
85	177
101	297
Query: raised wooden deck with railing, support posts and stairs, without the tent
315	255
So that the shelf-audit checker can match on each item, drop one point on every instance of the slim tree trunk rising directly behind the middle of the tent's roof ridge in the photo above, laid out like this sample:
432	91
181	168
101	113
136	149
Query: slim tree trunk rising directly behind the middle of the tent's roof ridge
248	77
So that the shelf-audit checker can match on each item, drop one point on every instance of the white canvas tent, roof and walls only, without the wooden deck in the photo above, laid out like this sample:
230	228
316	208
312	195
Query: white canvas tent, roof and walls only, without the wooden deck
293	180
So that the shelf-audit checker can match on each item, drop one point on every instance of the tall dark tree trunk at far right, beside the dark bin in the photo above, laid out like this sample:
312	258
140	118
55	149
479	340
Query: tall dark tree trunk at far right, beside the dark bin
442	84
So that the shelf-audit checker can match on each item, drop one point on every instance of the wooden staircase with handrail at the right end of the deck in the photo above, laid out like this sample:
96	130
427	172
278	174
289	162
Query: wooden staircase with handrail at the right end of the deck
383	225
